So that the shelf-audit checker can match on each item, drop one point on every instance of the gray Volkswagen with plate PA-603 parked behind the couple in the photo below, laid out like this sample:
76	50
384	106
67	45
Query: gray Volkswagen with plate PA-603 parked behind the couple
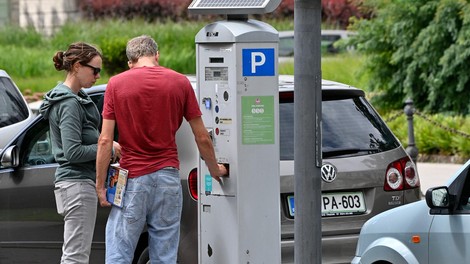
366	171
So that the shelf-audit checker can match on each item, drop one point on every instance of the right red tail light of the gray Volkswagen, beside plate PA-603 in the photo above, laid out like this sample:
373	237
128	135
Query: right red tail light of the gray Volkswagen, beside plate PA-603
401	175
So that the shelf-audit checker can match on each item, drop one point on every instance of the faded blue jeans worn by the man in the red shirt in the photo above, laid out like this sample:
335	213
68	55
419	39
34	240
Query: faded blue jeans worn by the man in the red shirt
154	200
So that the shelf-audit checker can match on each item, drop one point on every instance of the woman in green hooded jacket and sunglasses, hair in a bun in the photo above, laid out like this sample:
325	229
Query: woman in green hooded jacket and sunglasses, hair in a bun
74	122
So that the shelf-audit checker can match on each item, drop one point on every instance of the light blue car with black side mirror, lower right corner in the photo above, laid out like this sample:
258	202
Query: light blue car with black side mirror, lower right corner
435	230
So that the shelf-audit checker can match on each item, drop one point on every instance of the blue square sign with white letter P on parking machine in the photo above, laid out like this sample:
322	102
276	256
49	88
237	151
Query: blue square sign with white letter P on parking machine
258	62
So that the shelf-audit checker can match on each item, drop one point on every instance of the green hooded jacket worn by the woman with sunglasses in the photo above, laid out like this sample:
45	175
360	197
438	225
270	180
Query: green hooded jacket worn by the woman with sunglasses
74	120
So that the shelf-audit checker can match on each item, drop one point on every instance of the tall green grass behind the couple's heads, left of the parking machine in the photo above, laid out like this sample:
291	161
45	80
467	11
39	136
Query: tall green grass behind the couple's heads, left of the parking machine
27	56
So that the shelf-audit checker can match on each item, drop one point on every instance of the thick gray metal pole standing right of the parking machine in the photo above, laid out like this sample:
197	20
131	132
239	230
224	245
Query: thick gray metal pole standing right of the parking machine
307	137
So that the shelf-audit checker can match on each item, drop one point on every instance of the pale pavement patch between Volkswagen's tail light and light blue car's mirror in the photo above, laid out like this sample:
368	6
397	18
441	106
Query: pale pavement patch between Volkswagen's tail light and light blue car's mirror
435	174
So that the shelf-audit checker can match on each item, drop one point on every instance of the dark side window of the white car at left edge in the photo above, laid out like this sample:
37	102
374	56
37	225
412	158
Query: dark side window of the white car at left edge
12	106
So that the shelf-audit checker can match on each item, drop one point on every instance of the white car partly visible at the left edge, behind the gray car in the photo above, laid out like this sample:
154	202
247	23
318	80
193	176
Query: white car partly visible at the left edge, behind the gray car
14	112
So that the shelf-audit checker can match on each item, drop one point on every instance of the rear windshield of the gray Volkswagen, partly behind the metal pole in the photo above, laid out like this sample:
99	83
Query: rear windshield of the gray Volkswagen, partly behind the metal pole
351	127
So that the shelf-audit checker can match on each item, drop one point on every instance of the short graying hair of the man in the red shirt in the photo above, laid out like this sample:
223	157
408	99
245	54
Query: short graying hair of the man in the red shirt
142	46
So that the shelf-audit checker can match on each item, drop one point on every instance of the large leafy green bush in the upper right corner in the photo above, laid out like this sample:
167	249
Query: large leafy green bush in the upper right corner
418	49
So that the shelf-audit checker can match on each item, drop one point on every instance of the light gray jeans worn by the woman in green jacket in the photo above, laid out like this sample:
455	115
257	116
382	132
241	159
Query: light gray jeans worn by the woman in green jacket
77	202
